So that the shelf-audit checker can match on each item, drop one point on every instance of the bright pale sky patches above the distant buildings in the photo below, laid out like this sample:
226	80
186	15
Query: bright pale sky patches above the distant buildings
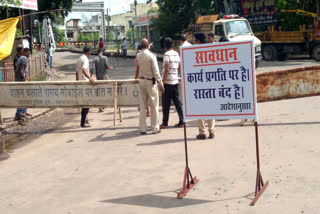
115	6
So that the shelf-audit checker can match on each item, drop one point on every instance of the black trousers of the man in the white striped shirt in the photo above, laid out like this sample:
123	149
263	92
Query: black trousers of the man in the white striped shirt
171	93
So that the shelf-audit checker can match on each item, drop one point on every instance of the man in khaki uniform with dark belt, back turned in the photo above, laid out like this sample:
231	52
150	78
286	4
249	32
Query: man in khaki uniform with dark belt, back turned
149	78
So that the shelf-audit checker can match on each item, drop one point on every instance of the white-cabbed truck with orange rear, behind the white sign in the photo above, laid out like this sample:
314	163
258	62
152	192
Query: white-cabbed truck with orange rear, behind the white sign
229	28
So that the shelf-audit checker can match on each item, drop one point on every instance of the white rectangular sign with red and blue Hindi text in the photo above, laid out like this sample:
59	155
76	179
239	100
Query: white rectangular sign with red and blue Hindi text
218	81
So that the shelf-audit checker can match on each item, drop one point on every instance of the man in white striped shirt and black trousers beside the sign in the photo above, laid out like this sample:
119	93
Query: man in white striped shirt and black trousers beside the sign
171	64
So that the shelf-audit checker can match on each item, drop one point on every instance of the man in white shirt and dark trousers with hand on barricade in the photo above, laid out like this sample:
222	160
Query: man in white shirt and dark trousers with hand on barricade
82	73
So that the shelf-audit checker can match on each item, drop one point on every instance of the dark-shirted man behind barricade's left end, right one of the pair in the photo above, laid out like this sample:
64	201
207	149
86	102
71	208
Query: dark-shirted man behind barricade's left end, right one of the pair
21	76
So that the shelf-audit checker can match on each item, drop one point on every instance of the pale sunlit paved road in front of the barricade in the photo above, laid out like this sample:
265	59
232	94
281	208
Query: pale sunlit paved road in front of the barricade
106	169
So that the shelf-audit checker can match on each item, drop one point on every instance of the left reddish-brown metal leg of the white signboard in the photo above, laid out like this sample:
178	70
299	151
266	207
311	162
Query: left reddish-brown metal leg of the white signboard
188	180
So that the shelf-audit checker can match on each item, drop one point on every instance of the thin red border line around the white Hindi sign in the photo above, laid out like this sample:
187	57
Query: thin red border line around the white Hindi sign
252	73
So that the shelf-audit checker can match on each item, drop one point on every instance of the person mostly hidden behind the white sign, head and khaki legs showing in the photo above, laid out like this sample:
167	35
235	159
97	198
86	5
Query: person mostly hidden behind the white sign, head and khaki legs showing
200	38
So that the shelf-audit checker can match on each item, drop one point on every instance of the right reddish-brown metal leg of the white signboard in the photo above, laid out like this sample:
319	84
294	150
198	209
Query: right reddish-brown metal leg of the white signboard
260	185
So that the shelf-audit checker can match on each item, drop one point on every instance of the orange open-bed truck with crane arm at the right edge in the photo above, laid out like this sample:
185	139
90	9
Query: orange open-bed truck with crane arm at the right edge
278	45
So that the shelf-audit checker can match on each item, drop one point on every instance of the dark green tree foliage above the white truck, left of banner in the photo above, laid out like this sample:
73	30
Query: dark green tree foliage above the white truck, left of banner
176	16
